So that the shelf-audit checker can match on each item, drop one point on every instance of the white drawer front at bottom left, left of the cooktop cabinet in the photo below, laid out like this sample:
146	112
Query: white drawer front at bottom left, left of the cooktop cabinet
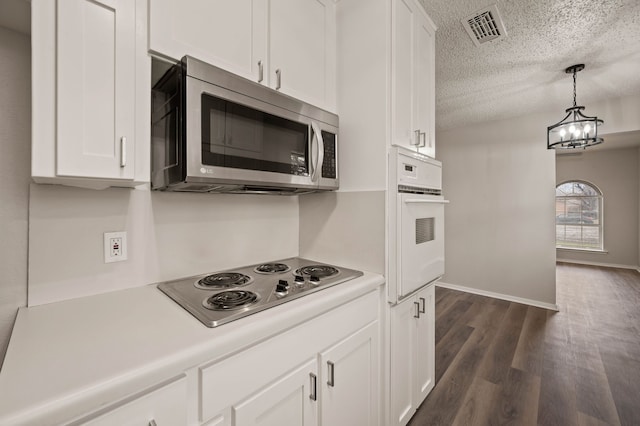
165	404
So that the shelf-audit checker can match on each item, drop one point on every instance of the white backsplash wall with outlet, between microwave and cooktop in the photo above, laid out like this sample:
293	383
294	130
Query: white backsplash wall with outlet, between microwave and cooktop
170	235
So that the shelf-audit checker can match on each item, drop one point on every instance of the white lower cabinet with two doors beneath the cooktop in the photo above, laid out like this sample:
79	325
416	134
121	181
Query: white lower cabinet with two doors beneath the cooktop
323	372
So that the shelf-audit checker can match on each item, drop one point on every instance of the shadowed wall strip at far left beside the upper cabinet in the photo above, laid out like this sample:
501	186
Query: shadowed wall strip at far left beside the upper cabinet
15	151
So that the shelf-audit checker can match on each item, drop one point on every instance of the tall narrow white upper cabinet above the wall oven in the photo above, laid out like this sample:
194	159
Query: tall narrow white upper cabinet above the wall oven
413	77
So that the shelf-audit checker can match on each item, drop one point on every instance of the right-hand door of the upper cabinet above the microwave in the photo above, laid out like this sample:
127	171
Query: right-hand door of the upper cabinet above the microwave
302	49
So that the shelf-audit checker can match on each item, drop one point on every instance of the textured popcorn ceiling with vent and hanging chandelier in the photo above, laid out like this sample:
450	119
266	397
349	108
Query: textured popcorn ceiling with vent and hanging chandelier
524	72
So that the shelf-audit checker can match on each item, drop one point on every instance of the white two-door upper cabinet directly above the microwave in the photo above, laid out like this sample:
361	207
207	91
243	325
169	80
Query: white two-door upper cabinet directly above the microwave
288	45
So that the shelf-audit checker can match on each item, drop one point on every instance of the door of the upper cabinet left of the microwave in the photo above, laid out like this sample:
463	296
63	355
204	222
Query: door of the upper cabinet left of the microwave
95	88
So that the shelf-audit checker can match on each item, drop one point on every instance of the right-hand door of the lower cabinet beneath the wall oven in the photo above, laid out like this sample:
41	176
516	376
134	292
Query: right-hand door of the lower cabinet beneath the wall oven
425	350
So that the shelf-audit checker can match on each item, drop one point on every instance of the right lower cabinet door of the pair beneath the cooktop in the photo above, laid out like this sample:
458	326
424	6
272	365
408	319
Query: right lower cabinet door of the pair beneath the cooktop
349	377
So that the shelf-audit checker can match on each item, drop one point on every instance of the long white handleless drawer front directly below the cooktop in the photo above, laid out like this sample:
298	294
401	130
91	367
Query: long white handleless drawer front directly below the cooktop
233	379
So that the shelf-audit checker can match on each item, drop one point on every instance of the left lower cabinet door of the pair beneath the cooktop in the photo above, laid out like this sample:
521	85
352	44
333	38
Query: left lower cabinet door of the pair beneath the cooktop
290	400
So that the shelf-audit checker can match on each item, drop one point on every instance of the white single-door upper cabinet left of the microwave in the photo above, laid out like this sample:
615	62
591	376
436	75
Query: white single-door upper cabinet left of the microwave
84	93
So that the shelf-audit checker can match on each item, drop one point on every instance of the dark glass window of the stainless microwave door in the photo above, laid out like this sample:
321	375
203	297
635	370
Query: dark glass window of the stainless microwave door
236	136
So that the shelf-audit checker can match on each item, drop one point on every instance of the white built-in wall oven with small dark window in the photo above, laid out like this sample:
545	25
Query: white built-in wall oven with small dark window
417	248
